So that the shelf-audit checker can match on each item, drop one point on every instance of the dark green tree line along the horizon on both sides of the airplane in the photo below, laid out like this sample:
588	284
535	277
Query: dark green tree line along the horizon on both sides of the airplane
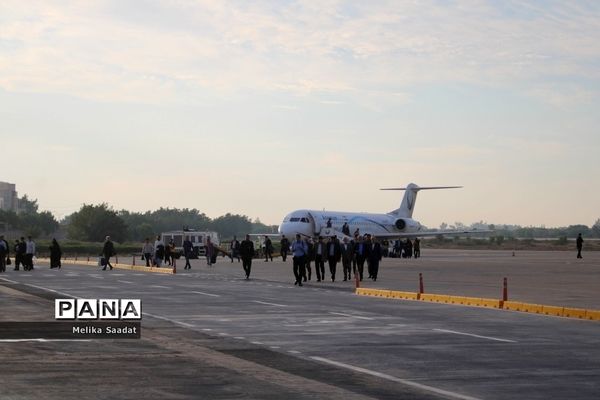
93	222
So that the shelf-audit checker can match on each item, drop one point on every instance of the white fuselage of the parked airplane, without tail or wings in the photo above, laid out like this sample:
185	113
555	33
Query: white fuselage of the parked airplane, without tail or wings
312	223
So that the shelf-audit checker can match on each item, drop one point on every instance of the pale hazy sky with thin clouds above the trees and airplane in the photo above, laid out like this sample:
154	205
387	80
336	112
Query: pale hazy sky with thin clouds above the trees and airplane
263	107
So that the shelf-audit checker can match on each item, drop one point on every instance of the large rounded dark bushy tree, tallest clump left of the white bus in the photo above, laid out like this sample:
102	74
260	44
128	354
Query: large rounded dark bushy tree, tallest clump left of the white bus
92	223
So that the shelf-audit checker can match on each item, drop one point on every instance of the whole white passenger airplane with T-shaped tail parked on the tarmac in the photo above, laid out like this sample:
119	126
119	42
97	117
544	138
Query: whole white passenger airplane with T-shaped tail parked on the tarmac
396	224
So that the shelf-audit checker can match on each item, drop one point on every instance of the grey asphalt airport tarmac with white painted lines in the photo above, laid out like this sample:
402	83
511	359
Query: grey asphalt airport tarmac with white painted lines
208	333
